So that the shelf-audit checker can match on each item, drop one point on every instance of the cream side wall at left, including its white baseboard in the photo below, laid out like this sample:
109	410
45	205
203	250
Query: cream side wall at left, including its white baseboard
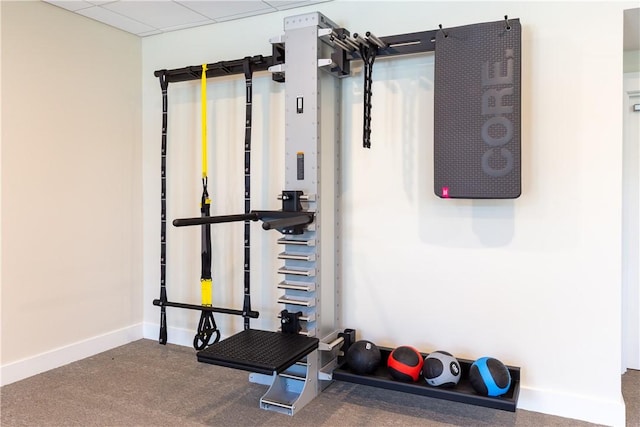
71	188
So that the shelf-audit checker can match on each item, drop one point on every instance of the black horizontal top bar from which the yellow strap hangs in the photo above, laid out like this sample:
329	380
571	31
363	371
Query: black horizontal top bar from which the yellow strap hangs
217	69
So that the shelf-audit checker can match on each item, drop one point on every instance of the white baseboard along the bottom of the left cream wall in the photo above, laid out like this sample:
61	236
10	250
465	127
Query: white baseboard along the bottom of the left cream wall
21	369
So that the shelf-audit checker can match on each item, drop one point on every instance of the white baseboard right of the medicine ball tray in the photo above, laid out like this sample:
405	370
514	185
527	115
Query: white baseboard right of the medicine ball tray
578	407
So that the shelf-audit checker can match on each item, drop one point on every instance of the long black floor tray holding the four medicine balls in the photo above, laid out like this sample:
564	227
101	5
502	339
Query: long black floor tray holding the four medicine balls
462	392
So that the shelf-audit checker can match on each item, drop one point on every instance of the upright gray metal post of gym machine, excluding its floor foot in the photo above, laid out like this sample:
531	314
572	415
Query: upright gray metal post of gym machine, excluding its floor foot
312	113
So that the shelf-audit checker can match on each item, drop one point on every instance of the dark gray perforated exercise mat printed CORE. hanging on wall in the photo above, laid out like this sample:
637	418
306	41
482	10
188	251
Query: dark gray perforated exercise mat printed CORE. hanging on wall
477	137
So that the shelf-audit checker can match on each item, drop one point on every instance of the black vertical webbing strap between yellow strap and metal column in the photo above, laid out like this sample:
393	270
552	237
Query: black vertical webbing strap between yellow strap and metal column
248	75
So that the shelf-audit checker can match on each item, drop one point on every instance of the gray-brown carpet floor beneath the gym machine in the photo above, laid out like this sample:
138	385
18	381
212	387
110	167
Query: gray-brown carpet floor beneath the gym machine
146	384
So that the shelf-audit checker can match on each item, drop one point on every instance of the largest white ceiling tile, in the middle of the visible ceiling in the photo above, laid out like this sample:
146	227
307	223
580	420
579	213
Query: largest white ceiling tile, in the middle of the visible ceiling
157	14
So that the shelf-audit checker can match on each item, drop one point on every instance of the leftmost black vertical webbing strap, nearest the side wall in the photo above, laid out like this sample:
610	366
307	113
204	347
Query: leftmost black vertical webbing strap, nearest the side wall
164	84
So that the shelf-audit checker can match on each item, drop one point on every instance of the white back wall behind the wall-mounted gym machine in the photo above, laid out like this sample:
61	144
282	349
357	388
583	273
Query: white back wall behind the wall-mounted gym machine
533	281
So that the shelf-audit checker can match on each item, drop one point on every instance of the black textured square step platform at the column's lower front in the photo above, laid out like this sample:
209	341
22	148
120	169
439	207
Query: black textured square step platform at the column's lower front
263	352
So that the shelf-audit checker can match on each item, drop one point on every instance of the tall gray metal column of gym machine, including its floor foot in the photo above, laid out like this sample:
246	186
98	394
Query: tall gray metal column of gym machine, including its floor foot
310	280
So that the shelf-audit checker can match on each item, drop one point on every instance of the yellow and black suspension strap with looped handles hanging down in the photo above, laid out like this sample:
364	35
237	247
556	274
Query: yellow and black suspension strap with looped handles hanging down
207	329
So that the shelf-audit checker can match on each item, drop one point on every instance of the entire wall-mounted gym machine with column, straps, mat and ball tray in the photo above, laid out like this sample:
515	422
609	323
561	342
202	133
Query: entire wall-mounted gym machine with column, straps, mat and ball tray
476	155
